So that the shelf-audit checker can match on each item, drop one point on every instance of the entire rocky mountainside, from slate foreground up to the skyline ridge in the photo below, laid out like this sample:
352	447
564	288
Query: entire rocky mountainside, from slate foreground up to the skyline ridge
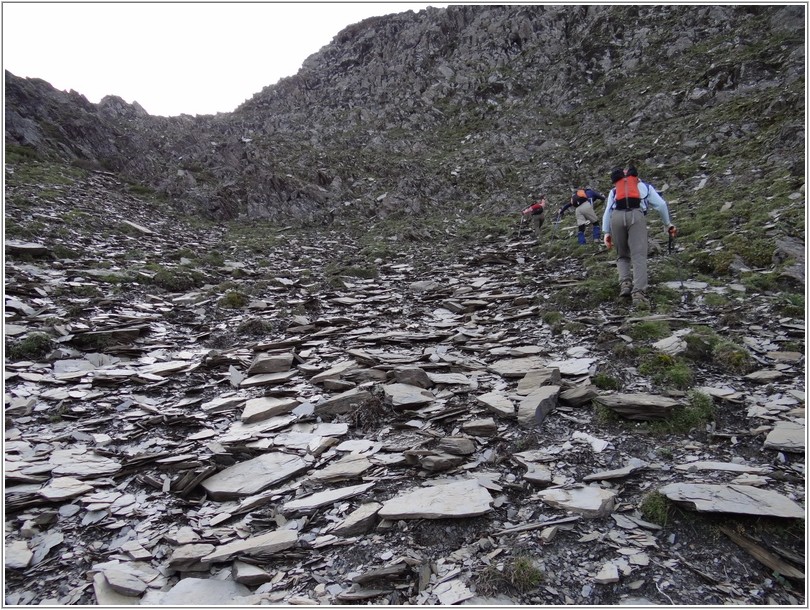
303	353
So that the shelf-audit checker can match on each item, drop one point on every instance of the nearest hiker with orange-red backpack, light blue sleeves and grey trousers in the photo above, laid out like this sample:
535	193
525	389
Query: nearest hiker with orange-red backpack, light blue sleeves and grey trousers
624	224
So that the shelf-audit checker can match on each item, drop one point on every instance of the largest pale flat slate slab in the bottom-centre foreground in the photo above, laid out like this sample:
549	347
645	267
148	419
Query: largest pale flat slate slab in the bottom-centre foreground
459	499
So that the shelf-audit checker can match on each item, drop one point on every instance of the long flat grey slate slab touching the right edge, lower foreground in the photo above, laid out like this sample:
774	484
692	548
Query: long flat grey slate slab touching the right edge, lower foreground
738	499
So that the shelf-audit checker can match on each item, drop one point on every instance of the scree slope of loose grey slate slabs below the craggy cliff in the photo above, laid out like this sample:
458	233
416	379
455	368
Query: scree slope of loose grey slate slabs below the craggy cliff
254	414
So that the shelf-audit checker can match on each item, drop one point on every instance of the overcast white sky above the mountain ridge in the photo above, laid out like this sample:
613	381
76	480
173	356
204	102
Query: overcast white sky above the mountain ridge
174	57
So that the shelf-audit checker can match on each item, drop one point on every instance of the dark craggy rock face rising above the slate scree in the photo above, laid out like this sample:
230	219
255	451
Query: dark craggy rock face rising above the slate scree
473	104
